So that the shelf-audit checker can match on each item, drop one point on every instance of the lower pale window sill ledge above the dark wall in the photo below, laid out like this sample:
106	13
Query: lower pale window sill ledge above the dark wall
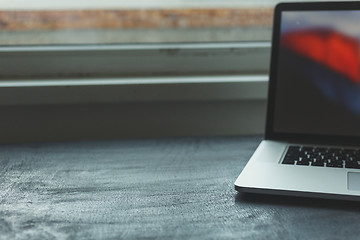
116	90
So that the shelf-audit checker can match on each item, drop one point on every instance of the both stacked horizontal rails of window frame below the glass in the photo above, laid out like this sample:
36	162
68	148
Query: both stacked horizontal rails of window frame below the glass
133	73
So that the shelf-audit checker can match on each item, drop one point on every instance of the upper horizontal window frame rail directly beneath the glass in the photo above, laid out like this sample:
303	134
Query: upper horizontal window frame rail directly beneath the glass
124	60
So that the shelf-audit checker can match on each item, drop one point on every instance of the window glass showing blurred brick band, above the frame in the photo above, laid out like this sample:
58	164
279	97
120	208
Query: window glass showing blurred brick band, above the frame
24	22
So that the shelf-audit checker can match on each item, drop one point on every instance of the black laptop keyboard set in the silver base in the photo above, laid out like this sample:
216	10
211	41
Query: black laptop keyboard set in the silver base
322	157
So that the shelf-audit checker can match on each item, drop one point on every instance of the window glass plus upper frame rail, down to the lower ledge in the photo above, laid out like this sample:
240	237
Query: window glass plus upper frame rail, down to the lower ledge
87	39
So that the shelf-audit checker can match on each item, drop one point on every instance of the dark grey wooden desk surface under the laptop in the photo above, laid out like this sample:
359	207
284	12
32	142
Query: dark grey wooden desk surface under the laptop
165	189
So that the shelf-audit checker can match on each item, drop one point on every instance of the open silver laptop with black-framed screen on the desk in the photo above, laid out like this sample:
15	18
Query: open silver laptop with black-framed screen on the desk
312	138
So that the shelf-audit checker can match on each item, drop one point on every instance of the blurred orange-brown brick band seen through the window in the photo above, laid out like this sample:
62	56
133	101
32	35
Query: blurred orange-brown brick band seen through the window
135	19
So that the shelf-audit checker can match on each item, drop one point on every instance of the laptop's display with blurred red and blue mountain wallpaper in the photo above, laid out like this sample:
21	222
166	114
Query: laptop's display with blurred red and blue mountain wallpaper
318	73
